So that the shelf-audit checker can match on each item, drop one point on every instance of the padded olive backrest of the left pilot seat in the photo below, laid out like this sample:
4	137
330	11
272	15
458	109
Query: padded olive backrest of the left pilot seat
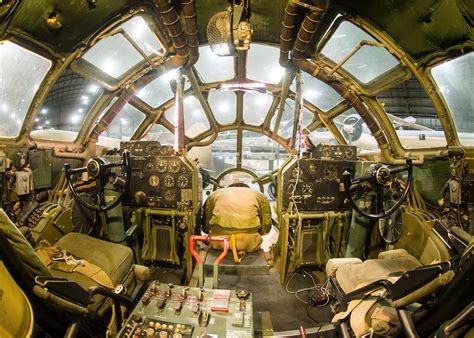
21	246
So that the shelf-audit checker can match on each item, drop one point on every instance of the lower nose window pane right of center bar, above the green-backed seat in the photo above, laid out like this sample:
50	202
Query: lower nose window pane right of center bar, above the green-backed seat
260	153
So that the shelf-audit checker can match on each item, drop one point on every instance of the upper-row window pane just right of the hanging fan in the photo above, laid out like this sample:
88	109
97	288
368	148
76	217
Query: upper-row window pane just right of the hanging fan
263	64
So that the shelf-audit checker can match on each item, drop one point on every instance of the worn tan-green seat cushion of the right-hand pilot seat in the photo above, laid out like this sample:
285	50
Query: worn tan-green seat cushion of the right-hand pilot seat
352	276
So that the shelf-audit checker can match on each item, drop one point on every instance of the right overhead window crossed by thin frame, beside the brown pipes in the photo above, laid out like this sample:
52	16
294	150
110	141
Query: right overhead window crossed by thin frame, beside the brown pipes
368	62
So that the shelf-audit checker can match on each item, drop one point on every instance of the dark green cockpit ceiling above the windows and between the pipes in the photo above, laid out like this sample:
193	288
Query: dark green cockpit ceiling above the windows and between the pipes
422	28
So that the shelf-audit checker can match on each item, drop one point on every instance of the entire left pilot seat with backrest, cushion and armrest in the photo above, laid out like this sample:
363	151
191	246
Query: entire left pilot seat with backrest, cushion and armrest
87	261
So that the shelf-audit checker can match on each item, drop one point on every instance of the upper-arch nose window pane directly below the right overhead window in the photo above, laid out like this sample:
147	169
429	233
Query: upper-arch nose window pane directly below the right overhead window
318	93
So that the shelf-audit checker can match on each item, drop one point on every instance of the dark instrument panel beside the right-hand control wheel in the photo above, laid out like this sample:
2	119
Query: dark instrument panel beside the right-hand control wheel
314	182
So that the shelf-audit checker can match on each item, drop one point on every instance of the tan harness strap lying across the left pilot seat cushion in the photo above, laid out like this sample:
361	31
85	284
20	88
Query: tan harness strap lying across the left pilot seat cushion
57	259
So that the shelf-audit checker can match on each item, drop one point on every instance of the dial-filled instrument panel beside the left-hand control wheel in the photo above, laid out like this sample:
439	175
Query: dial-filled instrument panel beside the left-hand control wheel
159	177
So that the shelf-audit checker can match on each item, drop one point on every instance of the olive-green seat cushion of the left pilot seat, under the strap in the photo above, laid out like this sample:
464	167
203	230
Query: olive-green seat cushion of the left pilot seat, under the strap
115	260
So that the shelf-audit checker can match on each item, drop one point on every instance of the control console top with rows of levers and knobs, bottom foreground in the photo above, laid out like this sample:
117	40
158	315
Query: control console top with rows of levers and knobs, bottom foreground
166	310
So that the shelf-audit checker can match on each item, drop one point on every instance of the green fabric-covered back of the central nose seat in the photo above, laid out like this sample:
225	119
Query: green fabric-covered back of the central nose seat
236	210
